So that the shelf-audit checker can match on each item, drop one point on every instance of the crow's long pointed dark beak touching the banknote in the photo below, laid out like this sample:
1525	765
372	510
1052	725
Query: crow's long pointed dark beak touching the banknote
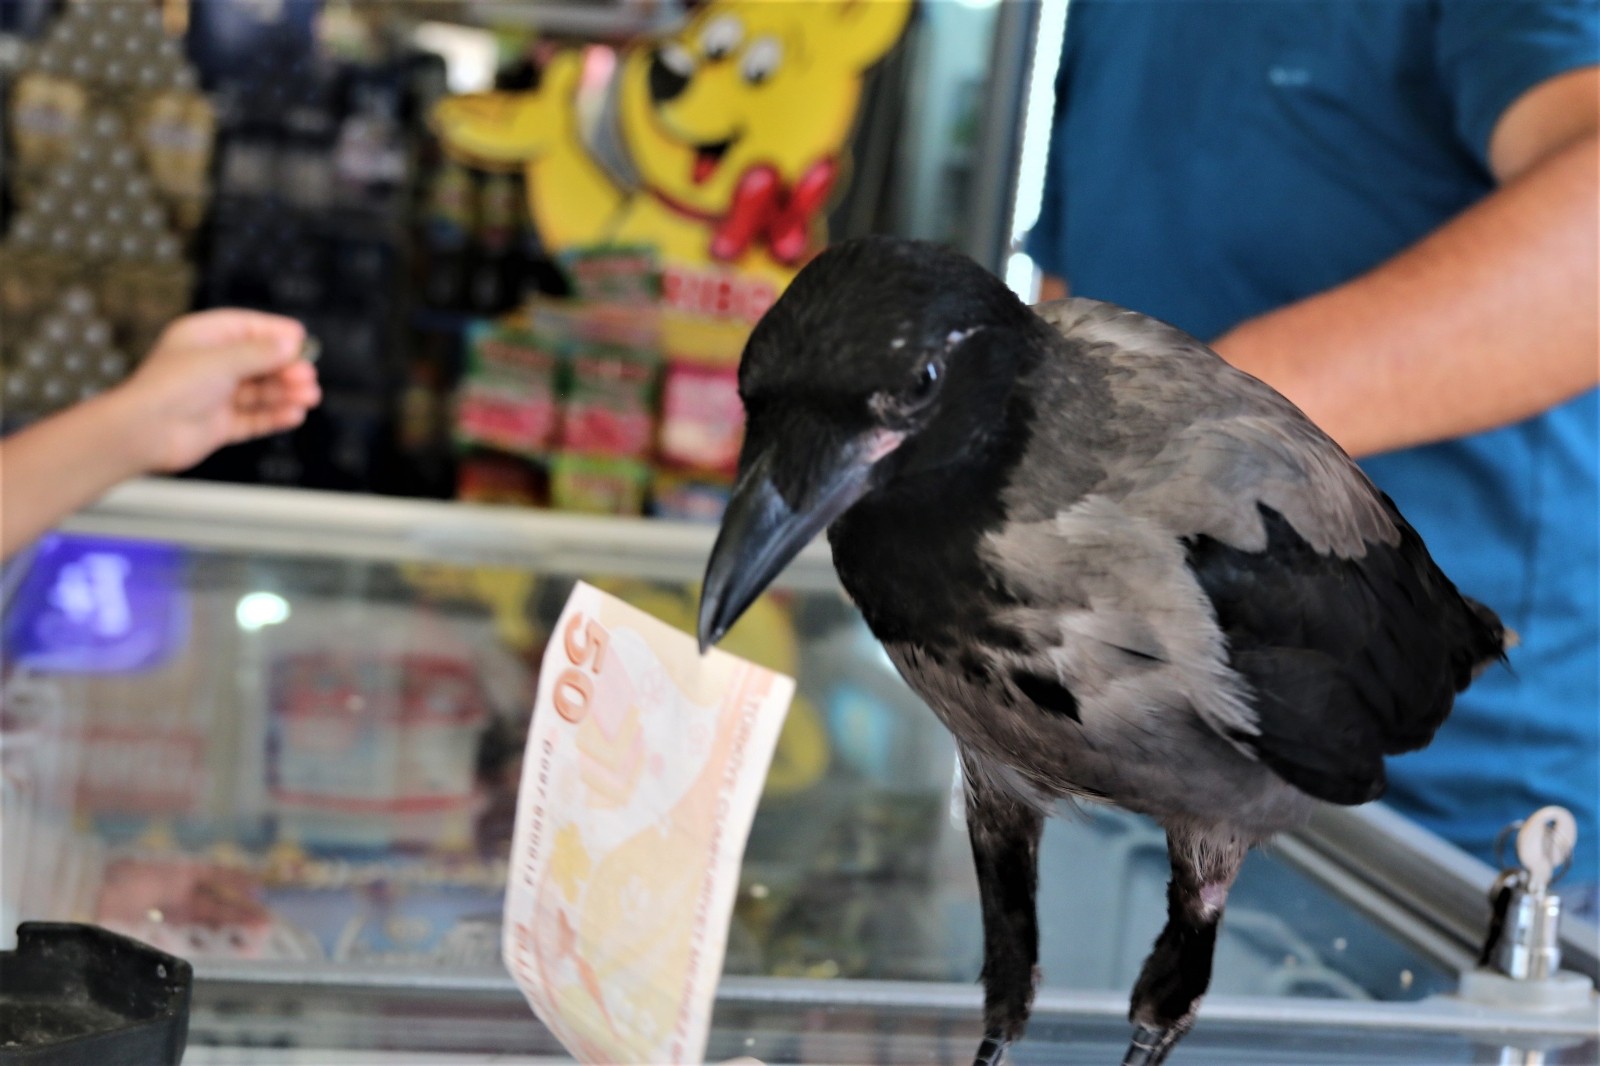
761	532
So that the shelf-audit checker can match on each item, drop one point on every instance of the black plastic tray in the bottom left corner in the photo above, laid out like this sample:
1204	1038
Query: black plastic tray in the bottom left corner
82	996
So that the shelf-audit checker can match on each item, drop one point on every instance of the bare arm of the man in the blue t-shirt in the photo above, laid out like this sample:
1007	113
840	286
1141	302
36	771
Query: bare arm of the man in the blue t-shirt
1487	321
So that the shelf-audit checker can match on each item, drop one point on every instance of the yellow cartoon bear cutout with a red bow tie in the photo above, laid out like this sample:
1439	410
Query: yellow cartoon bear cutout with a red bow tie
719	145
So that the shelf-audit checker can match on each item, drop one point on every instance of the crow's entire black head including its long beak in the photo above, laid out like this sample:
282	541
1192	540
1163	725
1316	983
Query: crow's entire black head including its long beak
884	364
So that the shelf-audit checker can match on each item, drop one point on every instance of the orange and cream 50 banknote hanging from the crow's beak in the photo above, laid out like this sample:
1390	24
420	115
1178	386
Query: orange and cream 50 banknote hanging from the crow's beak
644	767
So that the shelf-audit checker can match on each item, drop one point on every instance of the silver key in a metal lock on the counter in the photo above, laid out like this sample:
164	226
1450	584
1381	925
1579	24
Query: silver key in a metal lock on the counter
1524	939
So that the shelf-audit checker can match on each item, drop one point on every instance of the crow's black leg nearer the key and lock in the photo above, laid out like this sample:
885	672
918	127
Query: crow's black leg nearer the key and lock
1178	971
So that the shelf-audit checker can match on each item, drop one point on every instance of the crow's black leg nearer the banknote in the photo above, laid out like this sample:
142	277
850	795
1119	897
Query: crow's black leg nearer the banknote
1004	830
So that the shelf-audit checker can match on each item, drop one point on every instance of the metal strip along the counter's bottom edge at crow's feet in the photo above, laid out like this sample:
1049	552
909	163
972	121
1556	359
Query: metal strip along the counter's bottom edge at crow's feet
780	1020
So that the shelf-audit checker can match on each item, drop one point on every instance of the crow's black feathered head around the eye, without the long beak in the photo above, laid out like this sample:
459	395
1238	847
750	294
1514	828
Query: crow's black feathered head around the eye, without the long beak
905	348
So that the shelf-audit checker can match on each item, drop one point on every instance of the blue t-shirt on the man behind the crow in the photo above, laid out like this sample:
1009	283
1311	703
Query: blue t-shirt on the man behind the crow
1212	161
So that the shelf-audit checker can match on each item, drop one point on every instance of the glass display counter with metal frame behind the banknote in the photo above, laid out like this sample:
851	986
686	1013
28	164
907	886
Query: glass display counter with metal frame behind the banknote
278	734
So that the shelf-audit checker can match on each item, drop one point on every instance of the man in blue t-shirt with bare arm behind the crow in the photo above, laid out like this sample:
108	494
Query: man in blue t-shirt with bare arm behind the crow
1388	210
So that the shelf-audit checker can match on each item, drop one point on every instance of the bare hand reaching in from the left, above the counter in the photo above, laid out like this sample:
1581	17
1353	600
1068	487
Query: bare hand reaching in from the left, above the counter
217	379
